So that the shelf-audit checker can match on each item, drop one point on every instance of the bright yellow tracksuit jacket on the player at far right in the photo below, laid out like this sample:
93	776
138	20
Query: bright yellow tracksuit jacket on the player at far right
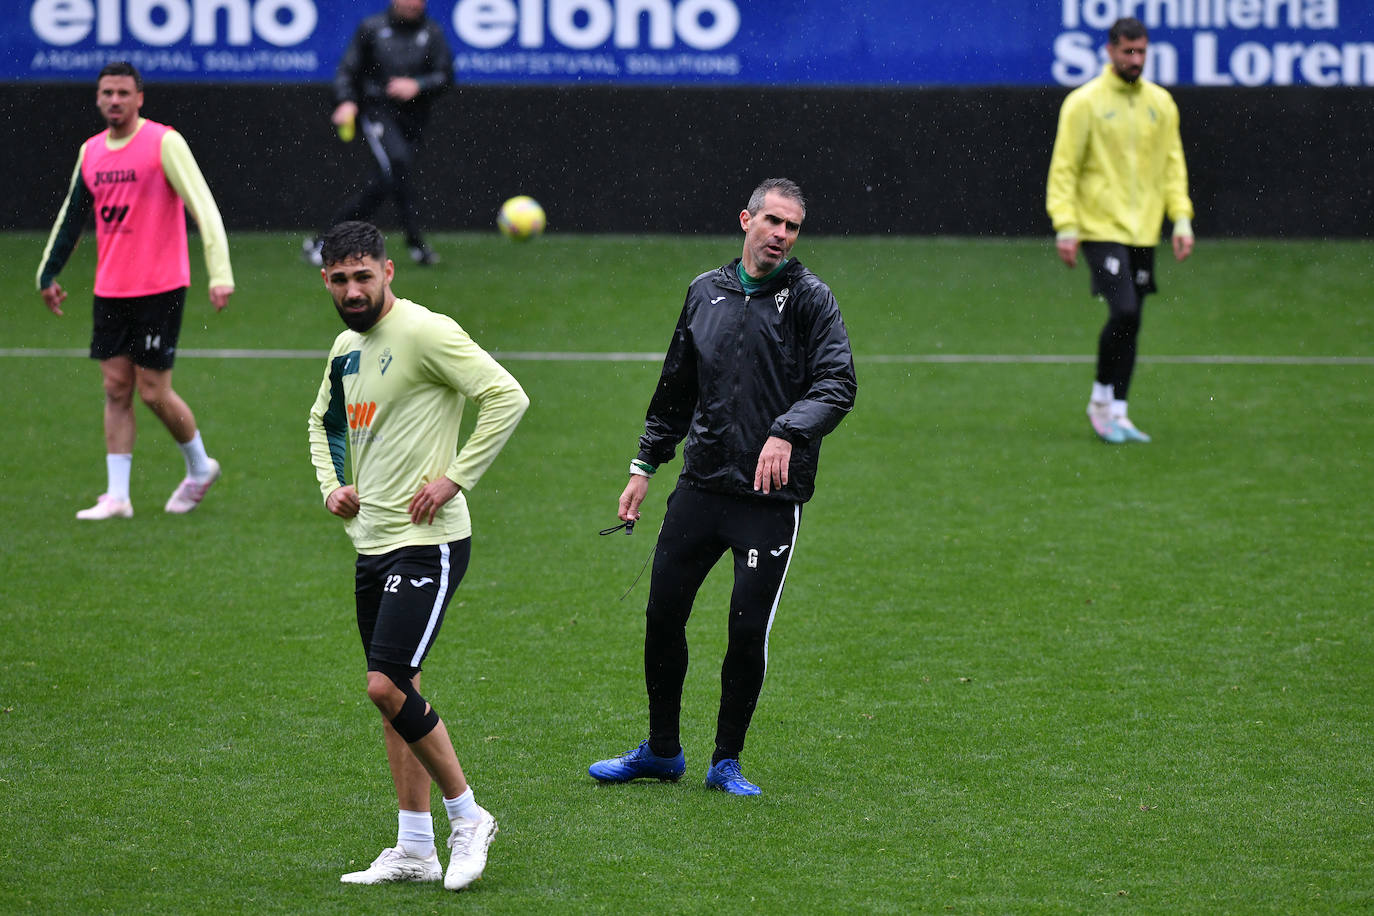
1118	165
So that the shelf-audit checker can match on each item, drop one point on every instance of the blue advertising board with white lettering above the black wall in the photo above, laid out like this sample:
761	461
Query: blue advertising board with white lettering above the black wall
822	43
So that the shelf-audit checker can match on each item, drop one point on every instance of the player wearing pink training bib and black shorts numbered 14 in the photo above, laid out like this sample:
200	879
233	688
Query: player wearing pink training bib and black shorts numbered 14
139	178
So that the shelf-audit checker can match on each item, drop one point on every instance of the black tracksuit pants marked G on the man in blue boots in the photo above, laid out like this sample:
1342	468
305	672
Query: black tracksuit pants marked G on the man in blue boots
699	528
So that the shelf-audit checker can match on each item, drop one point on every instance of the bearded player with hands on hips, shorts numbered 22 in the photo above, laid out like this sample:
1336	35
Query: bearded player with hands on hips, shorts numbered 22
394	398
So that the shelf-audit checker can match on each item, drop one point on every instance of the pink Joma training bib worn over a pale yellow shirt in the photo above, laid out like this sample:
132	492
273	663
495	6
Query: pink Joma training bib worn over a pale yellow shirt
139	218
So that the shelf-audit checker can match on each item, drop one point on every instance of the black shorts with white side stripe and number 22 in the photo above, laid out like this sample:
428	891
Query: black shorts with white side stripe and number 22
402	598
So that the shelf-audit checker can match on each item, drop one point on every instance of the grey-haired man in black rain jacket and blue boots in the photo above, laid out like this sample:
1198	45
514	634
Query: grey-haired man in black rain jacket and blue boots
759	370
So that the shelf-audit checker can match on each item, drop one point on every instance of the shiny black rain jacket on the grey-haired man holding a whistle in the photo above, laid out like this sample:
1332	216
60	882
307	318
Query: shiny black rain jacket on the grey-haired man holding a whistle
745	367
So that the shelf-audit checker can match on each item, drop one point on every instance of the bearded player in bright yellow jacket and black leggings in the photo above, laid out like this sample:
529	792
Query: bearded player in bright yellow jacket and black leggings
1118	170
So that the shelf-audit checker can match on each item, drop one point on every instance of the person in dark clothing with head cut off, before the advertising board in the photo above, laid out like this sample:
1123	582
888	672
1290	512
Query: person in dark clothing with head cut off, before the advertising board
391	73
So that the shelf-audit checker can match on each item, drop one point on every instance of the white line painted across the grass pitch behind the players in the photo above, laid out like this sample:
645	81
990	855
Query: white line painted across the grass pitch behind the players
552	356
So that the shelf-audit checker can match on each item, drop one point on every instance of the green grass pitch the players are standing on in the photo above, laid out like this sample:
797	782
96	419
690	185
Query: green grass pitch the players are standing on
1016	671
